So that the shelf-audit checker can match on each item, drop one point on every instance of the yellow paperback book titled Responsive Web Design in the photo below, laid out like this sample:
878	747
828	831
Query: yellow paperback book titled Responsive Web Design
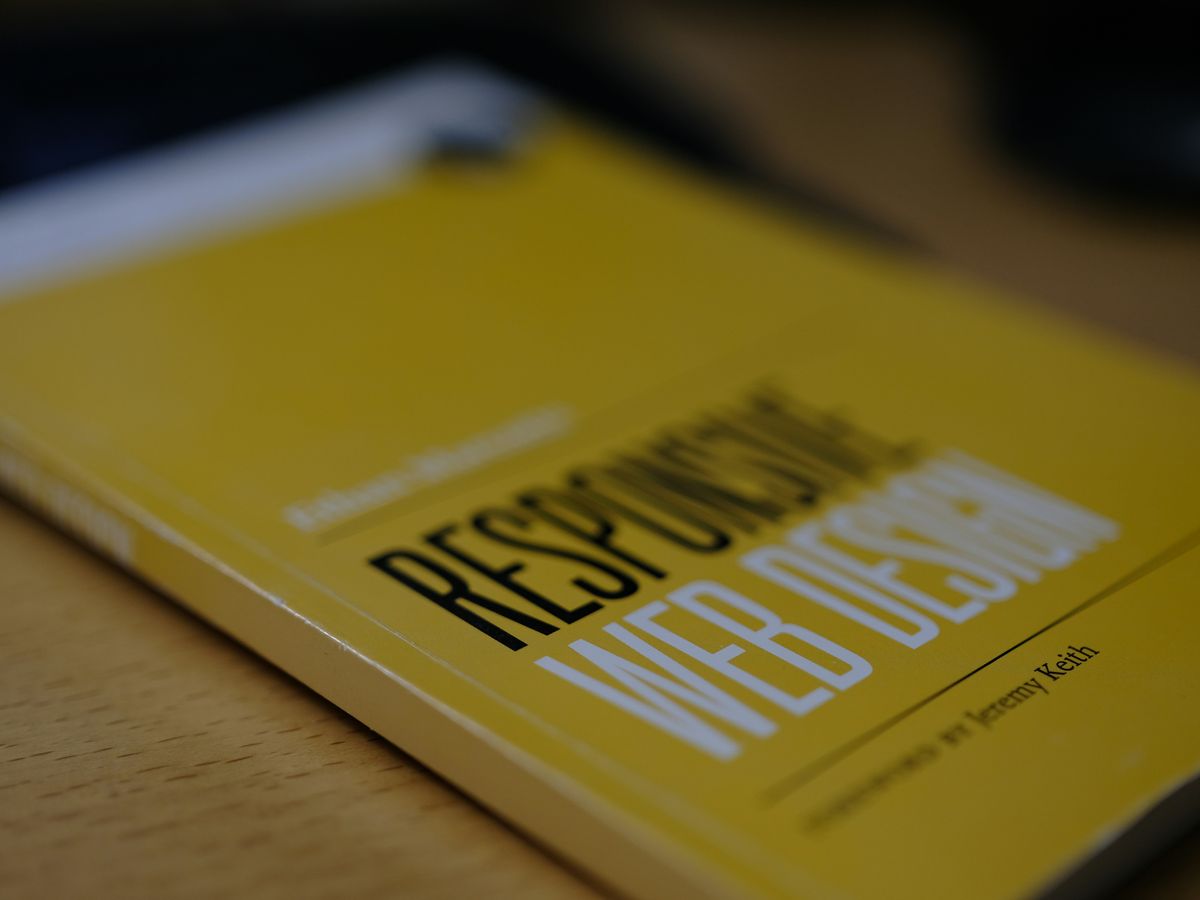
723	555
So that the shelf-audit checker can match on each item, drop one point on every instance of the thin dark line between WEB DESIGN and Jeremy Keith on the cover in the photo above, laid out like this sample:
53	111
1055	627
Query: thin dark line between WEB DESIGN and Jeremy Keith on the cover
796	781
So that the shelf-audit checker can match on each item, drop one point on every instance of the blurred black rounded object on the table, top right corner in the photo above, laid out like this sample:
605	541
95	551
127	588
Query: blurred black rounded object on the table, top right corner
1105	98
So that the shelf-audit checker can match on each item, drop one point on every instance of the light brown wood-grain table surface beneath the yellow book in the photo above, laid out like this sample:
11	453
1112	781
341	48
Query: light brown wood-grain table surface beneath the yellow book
143	754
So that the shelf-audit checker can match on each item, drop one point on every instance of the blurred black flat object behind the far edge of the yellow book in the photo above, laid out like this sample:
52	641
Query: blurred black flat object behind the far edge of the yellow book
73	97
